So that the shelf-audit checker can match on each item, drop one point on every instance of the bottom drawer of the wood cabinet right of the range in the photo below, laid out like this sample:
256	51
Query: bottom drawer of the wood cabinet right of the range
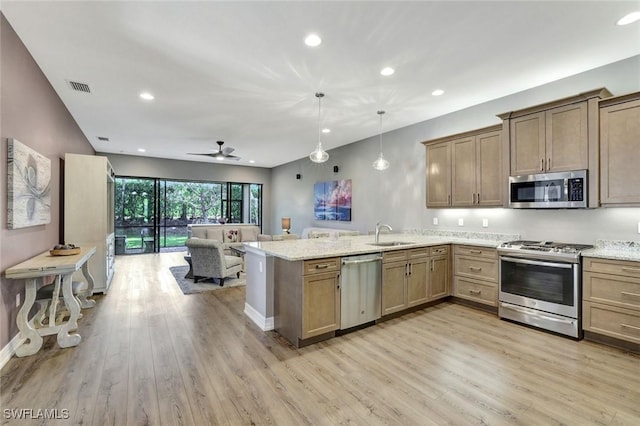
612	321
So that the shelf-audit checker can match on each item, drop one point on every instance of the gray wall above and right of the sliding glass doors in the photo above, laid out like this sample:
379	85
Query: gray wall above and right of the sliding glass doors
138	166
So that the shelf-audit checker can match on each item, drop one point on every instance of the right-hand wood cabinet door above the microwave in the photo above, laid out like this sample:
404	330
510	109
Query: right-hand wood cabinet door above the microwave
567	143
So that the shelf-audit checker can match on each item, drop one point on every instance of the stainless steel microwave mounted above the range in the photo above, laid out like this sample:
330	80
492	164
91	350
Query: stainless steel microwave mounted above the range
563	190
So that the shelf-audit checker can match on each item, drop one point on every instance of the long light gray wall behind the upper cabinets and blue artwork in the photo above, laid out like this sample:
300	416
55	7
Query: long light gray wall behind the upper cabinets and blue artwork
397	195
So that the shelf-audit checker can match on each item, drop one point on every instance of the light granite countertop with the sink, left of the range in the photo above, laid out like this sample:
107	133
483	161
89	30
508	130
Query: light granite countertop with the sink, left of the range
315	248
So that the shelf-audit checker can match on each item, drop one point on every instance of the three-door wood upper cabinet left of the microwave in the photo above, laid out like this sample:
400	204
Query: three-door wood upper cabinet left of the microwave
465	170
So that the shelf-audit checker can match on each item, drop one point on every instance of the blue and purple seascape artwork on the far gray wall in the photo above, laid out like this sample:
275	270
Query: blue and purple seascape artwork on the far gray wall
332	200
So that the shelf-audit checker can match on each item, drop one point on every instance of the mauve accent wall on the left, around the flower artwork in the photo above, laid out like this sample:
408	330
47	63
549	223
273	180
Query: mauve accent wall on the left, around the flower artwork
31	112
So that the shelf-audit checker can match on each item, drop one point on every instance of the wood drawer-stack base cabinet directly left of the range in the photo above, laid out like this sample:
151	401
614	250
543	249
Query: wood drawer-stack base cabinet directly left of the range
475	274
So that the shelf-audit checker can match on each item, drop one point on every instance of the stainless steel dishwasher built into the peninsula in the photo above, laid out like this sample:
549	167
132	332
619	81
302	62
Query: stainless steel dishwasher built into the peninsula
360	288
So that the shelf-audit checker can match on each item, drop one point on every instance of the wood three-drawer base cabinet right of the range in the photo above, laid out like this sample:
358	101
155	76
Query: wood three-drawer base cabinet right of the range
611	299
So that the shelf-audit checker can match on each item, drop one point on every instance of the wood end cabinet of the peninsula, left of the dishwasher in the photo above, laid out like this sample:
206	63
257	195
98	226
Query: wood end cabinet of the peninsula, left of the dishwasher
307	299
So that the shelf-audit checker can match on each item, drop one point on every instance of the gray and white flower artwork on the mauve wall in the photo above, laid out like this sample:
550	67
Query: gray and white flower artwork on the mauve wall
29	177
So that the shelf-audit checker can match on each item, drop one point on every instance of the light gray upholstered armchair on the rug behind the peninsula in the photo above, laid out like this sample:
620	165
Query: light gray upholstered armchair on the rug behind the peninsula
209	260
